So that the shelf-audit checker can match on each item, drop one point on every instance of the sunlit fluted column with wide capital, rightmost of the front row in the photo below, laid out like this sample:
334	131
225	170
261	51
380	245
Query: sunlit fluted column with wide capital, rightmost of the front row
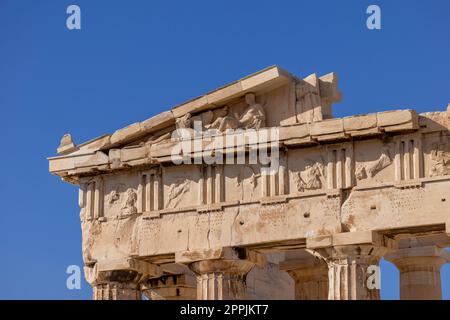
352	271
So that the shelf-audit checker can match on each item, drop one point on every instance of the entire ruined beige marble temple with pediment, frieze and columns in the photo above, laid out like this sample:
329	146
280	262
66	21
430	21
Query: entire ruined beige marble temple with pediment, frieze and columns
161	220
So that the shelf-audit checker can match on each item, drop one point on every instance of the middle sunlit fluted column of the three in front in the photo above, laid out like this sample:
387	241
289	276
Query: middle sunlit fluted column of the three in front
221	279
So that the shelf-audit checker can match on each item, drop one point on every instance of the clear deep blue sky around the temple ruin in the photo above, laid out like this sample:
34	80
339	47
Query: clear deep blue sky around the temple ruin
134	59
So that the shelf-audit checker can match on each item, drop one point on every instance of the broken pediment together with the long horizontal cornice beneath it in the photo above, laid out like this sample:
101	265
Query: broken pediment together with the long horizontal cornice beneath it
299	109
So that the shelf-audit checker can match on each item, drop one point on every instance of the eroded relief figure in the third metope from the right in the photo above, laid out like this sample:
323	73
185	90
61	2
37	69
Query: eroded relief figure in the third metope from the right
312	178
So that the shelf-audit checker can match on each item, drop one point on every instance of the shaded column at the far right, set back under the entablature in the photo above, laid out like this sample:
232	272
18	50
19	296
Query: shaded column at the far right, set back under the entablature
420	275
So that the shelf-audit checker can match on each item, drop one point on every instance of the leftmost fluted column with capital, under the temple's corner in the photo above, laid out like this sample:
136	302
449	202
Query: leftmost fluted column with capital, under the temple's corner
119	279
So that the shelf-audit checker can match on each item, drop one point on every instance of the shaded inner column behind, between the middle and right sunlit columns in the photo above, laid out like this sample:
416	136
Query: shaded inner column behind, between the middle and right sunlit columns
310	275
